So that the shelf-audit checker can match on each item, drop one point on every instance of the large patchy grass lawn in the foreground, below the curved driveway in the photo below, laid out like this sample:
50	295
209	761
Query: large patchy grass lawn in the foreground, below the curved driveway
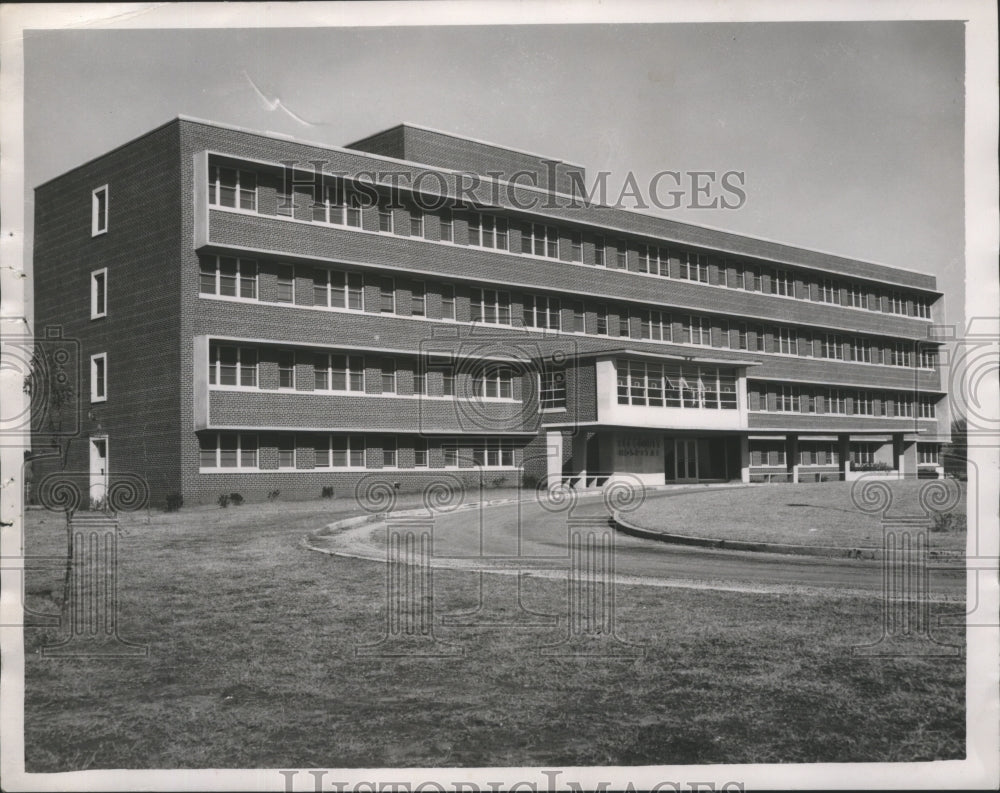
252	664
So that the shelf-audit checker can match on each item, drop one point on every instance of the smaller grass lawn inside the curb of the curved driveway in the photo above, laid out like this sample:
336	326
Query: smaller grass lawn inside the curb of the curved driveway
801	514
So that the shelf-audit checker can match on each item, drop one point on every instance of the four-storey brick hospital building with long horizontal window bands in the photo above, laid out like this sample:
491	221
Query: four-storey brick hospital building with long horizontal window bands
256	313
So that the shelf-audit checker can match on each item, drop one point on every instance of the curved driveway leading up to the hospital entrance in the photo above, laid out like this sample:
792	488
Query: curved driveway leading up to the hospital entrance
529	538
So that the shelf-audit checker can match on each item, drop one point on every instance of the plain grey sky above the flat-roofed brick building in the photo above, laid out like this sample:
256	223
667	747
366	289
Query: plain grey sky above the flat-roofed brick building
850	134
